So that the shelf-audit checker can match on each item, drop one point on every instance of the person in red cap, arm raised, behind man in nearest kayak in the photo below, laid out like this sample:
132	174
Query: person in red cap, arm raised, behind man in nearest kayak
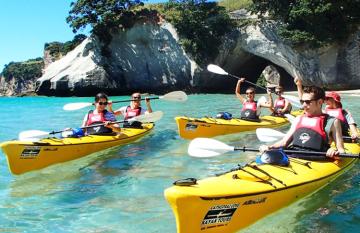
334	108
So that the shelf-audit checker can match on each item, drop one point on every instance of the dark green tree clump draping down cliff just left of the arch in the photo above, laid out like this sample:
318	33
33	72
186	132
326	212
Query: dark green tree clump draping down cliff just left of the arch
201	26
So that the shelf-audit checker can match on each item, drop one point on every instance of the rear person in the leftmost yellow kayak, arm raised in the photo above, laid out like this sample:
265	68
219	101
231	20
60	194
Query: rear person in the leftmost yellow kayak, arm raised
133	110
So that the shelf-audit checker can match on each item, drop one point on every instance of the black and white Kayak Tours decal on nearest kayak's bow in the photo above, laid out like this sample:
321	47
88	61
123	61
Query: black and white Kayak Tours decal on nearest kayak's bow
219	215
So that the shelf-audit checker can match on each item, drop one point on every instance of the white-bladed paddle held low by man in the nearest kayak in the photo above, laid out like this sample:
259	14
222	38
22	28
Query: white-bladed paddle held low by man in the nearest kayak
208	147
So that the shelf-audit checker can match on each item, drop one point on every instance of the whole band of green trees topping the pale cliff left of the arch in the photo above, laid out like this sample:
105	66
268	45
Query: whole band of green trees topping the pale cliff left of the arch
200	24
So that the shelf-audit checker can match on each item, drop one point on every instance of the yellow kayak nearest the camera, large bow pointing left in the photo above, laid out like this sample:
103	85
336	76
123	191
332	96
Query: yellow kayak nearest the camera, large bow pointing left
235	200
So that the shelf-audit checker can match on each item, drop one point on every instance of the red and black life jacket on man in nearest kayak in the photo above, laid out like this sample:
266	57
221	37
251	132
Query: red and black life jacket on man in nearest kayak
310	133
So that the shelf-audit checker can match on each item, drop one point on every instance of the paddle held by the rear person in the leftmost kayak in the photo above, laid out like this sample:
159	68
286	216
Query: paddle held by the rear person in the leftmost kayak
176	96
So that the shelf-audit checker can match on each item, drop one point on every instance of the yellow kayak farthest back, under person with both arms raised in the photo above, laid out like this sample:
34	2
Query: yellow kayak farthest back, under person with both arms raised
190	128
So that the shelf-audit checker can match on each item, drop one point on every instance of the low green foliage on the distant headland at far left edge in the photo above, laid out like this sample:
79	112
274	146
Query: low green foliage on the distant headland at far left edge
27	70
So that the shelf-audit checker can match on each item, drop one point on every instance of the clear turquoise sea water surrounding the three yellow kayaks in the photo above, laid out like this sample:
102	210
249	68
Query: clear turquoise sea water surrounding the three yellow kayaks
121	189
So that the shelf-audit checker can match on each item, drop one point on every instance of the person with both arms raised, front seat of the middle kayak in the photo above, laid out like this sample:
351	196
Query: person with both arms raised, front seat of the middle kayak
251	108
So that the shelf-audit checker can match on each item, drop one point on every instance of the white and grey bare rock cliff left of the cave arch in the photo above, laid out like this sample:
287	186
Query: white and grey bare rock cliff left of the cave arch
145	58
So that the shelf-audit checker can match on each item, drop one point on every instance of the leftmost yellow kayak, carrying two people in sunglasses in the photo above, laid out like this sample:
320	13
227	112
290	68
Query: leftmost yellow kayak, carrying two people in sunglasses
28	156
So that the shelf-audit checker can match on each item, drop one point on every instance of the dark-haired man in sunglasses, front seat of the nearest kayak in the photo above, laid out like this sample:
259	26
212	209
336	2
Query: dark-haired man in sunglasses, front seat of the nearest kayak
314	130
